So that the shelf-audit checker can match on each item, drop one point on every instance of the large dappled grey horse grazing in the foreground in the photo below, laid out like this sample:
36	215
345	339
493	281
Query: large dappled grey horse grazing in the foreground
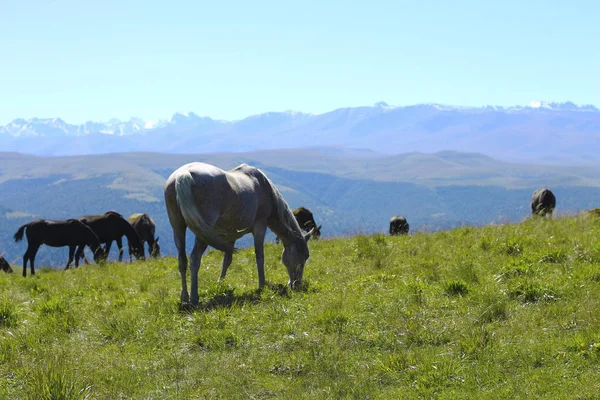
219	207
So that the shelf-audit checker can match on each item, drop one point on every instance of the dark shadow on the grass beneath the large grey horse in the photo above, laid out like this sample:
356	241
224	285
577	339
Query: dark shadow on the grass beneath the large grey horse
227	298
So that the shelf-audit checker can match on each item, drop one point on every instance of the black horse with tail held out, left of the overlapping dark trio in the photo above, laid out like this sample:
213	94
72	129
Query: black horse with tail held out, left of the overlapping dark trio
72	233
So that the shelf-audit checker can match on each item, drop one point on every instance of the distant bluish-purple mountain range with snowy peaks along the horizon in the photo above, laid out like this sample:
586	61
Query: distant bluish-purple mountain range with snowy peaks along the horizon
546	133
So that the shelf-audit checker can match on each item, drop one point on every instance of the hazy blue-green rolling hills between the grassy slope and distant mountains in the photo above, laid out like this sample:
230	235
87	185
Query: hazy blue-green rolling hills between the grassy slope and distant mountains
348	193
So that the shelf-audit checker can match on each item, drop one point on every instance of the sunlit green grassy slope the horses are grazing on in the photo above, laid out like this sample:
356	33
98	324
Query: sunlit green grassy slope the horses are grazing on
500	312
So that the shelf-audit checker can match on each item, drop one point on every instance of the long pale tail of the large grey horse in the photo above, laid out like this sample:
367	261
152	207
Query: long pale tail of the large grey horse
193	217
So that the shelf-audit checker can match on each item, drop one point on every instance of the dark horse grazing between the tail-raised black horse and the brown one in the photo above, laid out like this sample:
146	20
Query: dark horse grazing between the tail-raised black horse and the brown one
112	226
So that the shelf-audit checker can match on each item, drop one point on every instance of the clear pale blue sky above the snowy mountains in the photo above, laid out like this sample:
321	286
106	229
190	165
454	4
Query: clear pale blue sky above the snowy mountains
95	60
